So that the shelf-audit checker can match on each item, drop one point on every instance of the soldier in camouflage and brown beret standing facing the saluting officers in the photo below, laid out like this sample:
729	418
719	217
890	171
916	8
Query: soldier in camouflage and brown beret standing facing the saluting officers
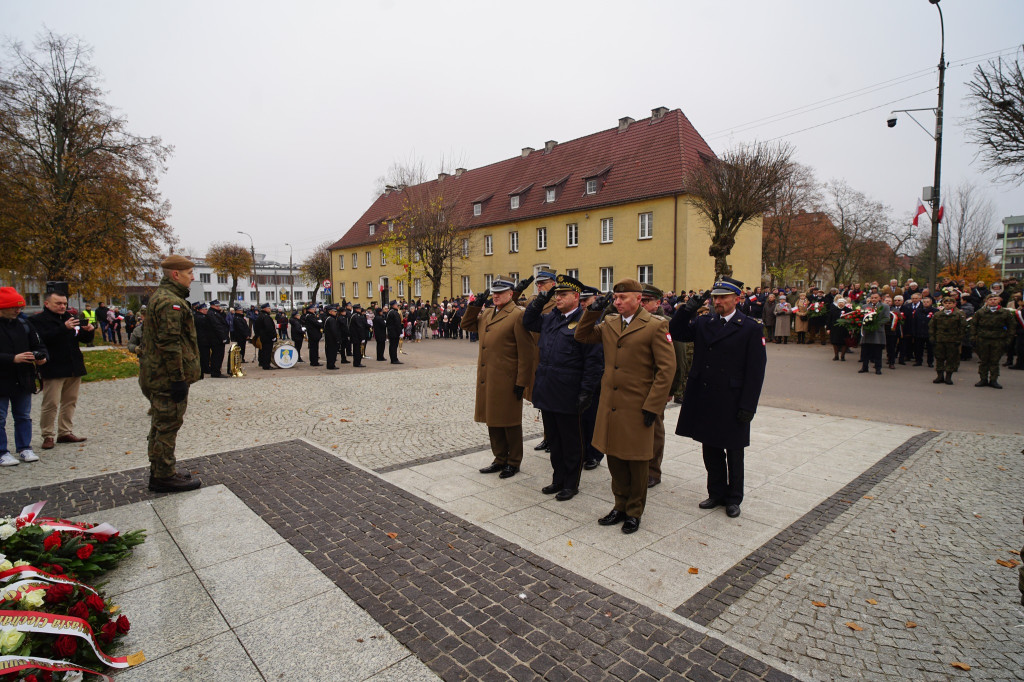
168	365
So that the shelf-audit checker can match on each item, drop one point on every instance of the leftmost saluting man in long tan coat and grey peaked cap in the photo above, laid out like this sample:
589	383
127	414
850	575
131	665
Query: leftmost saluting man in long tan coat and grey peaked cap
506	355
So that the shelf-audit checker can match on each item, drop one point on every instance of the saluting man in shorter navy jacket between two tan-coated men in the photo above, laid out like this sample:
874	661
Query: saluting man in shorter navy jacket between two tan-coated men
567	379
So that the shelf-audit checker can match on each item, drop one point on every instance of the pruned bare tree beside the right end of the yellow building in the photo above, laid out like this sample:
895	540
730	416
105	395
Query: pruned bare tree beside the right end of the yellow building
733	191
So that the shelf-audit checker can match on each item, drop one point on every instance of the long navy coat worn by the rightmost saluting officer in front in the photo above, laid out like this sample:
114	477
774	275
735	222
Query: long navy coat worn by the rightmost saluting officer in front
727	376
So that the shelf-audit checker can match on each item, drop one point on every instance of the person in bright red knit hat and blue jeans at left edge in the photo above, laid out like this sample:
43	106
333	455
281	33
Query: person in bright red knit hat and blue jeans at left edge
21	353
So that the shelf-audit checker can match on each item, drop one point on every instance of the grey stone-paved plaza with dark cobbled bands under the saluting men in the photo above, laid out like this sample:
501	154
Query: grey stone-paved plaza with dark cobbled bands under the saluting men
345	533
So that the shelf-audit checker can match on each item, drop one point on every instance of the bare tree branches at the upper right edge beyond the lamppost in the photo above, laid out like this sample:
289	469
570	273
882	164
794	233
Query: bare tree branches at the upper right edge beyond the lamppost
997	96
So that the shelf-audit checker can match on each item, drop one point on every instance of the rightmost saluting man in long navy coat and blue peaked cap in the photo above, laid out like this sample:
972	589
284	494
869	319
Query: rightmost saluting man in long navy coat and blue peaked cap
723	389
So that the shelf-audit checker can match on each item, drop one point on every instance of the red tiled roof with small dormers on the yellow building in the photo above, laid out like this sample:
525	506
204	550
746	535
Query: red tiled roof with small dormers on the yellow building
649	159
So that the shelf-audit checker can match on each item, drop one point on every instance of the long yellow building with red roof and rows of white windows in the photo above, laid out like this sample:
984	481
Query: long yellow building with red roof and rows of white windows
600	208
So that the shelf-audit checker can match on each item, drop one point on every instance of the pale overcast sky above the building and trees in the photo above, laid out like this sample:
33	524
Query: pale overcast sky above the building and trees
284	114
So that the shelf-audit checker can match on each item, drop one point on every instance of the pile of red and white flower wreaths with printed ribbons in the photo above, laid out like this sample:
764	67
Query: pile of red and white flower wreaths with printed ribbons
52	621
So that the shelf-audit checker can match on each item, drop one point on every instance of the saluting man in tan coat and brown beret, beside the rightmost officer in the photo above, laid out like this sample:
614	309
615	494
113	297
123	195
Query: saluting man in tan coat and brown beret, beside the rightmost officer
639	365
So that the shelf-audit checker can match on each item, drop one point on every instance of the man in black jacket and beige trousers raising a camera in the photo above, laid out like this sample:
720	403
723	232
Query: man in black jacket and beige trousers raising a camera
59	331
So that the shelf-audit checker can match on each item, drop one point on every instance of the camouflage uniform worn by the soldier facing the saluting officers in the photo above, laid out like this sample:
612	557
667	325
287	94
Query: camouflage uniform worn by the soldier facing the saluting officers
170	354
